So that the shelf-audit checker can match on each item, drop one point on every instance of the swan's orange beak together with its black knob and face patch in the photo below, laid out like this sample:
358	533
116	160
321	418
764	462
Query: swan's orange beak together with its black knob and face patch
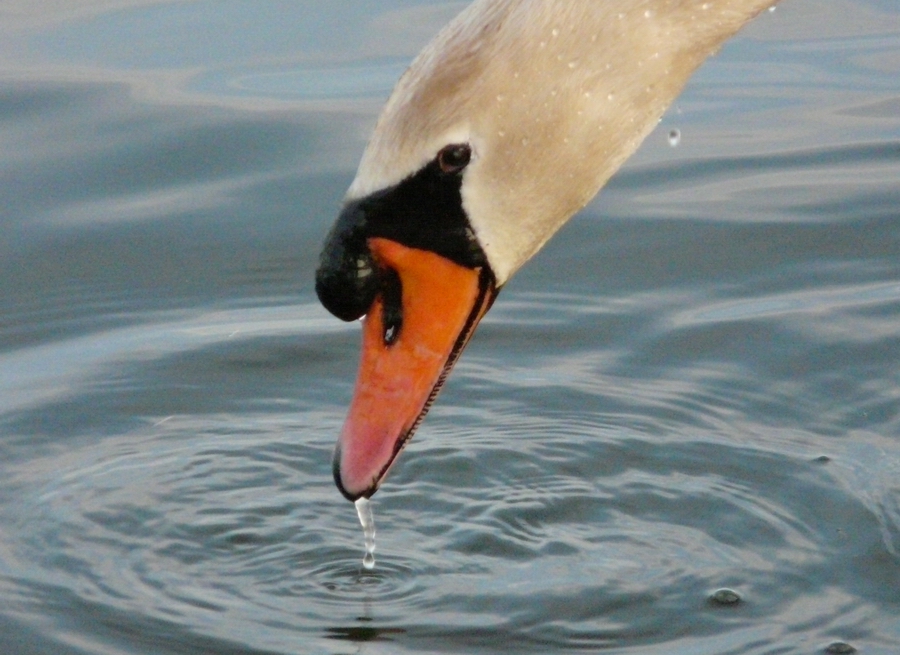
405	259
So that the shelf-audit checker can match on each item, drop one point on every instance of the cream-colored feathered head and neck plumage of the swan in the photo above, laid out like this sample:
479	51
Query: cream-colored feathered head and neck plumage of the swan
553	96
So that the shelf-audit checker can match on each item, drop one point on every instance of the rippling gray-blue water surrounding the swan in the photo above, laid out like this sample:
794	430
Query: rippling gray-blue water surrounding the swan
694	387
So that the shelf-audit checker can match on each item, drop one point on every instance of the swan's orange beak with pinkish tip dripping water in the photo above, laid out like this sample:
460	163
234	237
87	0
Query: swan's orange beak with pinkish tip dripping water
409	345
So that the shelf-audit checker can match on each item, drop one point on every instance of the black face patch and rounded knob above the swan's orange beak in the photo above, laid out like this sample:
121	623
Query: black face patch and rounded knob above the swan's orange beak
423	211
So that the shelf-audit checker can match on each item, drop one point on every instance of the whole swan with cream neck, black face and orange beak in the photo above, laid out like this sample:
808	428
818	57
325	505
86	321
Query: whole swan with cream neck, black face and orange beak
502	128
